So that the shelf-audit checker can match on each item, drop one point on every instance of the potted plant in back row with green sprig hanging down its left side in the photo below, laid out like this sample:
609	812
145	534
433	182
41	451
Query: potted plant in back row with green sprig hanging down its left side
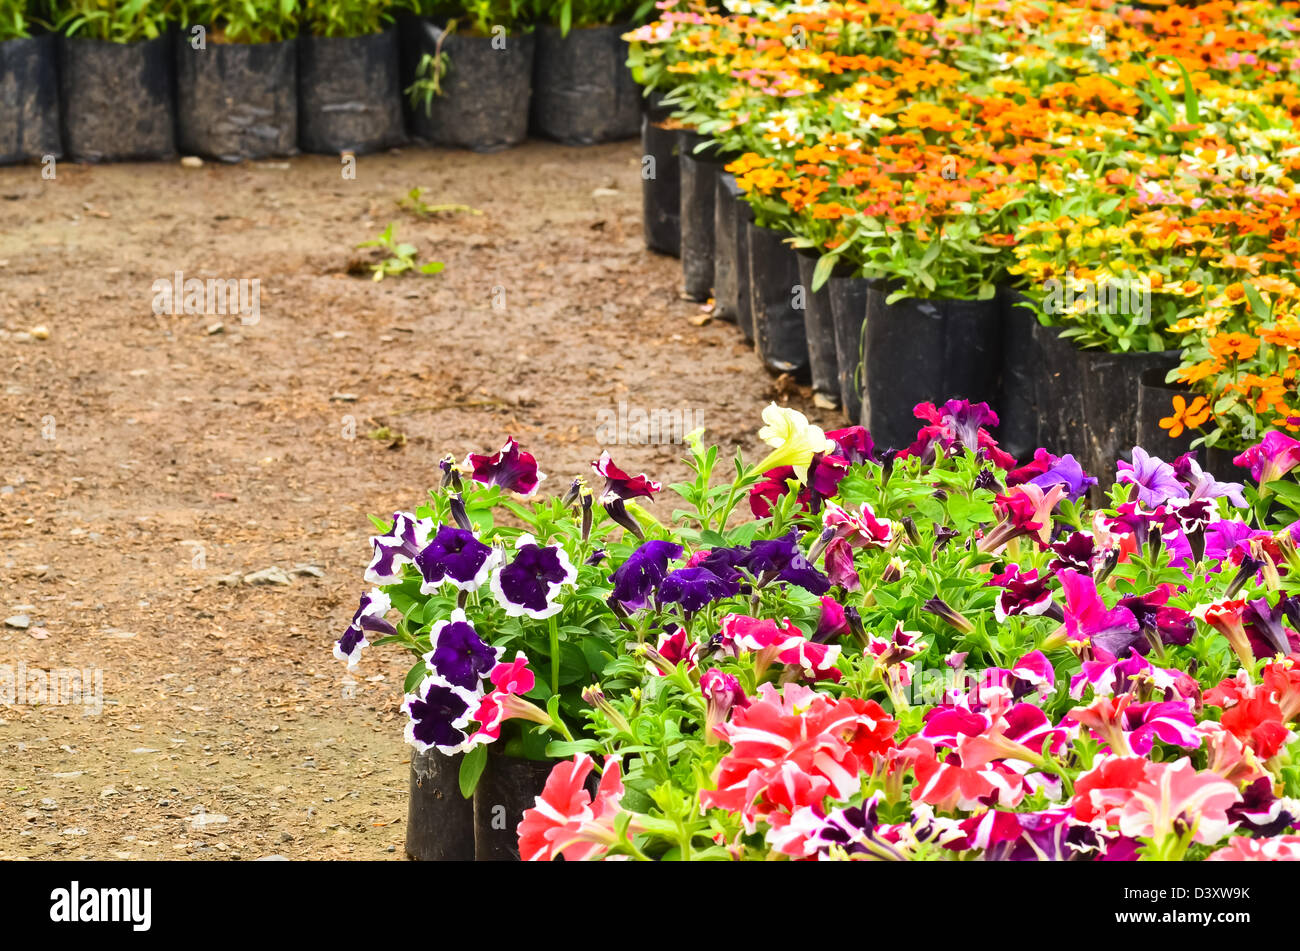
474	75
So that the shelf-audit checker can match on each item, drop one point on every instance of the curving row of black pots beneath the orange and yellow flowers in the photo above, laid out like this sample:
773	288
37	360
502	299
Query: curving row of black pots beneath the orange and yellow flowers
877	359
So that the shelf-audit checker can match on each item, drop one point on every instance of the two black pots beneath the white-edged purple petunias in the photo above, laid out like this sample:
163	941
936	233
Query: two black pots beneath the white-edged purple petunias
443	826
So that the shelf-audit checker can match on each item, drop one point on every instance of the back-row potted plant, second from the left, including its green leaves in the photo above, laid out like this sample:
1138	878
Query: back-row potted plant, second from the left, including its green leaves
115	80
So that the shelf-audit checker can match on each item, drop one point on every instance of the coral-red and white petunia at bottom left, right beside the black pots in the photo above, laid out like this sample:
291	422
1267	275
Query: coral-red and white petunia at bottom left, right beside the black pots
567	822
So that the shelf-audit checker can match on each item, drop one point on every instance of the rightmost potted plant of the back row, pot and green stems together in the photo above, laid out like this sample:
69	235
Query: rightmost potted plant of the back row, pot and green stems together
583	92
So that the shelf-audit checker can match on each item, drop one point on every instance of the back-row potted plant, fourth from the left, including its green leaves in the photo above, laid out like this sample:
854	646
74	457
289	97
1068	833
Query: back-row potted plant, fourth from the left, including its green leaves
349	81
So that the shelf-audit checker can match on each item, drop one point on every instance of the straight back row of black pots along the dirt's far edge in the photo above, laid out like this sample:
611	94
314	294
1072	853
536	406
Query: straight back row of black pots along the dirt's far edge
112	102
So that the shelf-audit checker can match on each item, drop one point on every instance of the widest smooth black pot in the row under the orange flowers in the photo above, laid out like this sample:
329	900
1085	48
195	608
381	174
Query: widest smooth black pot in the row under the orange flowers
926	350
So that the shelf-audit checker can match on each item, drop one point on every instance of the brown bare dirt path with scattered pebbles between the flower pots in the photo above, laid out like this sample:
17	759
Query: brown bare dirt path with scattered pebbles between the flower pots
149	459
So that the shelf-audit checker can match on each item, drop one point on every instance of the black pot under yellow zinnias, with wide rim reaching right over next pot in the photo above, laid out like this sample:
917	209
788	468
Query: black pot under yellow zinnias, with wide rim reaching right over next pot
1111	405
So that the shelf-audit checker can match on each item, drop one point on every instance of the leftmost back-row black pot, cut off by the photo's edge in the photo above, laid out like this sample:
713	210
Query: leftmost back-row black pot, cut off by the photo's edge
29	99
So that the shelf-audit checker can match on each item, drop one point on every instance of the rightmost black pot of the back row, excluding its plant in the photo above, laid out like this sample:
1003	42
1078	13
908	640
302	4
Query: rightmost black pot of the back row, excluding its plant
583	92
